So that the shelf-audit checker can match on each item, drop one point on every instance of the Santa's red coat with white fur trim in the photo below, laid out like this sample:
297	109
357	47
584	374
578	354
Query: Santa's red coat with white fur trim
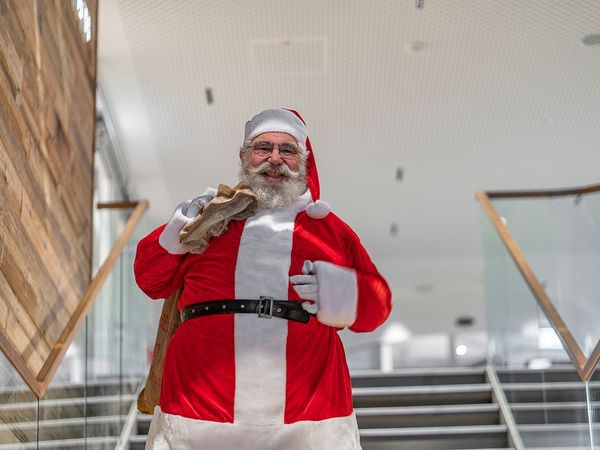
249	382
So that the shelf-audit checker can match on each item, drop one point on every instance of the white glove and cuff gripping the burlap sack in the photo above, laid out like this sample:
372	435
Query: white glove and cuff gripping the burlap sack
184	213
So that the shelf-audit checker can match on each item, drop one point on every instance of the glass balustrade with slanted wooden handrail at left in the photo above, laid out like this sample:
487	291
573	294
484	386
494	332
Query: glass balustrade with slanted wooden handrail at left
102	356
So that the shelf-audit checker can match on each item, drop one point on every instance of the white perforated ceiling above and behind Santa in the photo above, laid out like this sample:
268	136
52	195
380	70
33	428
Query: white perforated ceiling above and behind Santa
462	95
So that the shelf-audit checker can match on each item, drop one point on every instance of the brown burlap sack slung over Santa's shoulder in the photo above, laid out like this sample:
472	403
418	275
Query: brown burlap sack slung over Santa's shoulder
229	204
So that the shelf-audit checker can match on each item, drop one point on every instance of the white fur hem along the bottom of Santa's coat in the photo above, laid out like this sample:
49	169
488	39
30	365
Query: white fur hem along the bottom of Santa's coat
170	432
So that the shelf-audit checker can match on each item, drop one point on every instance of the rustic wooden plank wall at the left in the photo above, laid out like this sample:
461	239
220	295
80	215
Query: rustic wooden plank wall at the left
47	119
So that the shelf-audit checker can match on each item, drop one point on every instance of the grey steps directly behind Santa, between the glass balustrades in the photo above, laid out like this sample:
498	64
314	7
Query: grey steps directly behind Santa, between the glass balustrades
417	410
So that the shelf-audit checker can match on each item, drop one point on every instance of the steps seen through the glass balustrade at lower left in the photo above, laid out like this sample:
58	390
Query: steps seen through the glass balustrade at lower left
63	423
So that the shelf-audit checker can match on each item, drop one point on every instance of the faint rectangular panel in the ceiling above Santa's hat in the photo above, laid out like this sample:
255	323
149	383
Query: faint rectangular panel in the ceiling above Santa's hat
289	56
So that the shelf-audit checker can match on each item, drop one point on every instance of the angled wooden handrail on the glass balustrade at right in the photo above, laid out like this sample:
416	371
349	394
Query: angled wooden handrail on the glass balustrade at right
584	366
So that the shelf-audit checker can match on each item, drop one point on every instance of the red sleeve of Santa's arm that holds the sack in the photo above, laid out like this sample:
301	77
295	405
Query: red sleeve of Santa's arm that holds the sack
157	272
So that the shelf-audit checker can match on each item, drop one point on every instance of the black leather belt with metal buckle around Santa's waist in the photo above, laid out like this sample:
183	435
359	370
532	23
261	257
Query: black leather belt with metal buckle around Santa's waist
265	307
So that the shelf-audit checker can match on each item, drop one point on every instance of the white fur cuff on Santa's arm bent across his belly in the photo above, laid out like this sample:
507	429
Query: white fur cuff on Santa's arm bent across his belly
338	294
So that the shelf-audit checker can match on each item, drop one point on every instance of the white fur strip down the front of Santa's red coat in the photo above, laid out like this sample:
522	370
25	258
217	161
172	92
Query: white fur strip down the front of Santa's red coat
262	268
